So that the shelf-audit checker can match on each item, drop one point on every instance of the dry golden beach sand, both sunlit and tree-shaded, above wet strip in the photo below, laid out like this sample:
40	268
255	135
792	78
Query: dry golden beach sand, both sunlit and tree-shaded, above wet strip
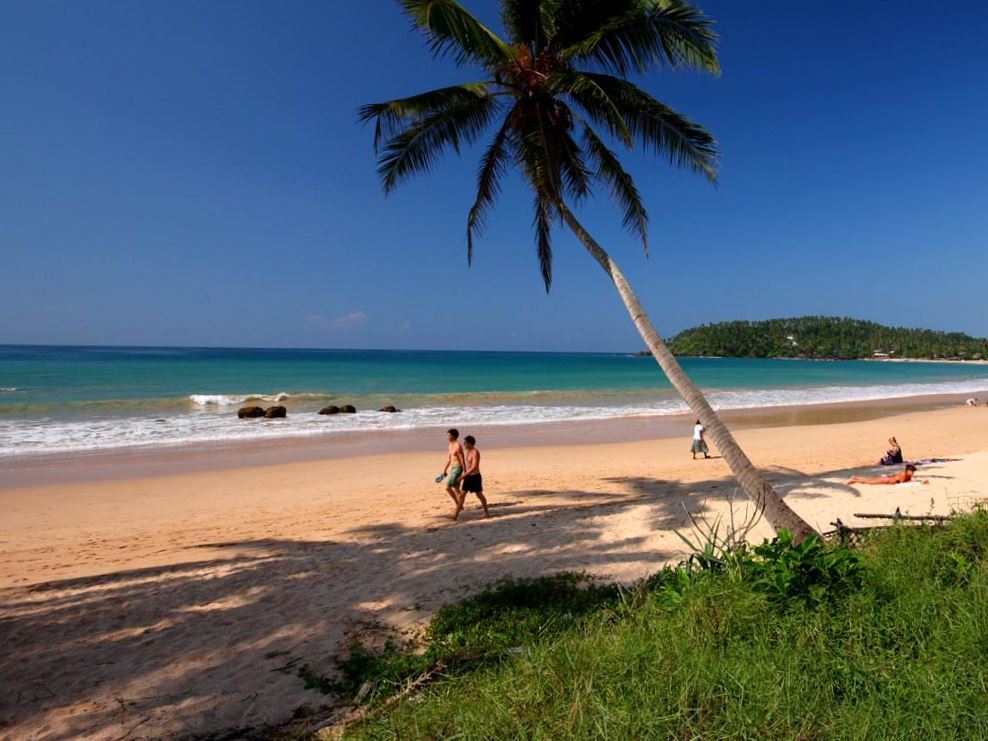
178	605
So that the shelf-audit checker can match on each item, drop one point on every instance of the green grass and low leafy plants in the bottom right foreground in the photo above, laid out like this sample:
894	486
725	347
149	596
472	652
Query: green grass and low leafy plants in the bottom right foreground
889	641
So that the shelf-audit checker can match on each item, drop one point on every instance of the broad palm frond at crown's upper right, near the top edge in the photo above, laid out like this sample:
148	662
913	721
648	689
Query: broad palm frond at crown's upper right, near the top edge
649	35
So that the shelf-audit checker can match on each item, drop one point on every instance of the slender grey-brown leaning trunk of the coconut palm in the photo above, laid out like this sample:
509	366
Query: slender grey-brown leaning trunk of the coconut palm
776	511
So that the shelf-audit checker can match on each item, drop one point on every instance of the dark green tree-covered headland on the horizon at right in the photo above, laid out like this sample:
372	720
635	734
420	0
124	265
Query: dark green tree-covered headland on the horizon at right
824	337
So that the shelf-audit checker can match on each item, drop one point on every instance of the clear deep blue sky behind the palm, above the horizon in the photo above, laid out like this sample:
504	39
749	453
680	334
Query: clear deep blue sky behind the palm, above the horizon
191	173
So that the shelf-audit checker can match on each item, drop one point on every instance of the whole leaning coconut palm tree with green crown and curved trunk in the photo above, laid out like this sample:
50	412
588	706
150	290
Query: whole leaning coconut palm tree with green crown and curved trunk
562	73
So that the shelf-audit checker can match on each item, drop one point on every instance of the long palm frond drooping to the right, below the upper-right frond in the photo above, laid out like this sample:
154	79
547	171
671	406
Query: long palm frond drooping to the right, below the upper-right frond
657	126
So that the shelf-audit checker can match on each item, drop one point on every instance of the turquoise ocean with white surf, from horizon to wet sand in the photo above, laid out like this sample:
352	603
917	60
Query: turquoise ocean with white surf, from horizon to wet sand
63	399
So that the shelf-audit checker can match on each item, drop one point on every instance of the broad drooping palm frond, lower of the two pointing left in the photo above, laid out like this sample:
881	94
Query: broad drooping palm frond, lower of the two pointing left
414	149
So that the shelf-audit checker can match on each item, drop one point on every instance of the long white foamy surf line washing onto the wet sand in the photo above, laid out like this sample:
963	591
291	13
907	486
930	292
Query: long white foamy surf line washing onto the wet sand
208	422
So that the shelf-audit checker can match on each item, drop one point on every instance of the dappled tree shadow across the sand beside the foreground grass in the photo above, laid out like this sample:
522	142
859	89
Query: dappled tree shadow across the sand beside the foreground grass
246	618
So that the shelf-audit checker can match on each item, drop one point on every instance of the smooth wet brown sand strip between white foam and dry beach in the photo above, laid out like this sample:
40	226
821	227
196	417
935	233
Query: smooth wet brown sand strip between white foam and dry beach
42	469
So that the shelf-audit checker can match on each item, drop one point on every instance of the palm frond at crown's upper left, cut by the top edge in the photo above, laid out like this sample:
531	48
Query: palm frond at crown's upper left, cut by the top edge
452	30
